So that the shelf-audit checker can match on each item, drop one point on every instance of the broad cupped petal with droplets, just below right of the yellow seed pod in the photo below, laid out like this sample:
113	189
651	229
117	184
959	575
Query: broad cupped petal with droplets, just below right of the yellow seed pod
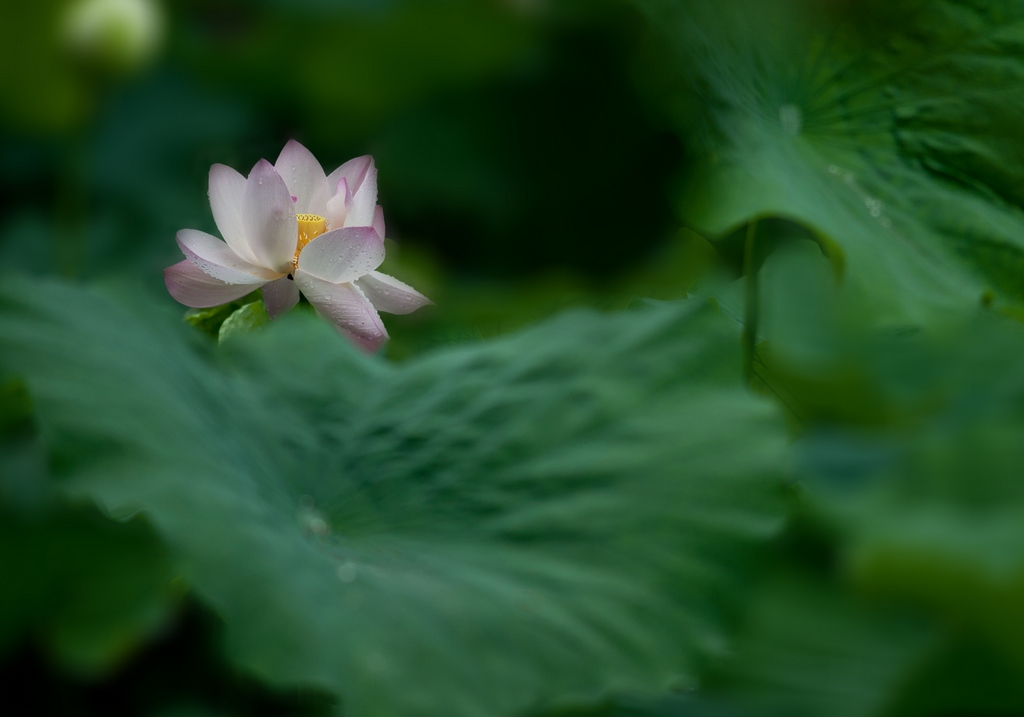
344	256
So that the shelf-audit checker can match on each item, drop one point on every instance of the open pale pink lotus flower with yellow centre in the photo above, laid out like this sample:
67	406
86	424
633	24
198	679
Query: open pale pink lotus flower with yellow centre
290	228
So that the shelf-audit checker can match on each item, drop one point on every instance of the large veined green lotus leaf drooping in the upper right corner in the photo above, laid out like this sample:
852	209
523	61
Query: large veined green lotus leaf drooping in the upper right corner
899	142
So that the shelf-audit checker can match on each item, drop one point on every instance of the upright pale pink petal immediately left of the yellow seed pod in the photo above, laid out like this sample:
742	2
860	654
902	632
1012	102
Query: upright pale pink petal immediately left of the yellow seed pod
270	219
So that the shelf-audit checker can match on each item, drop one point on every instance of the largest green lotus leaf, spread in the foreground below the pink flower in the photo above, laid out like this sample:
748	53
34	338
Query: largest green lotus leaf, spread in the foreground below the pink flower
550	517
